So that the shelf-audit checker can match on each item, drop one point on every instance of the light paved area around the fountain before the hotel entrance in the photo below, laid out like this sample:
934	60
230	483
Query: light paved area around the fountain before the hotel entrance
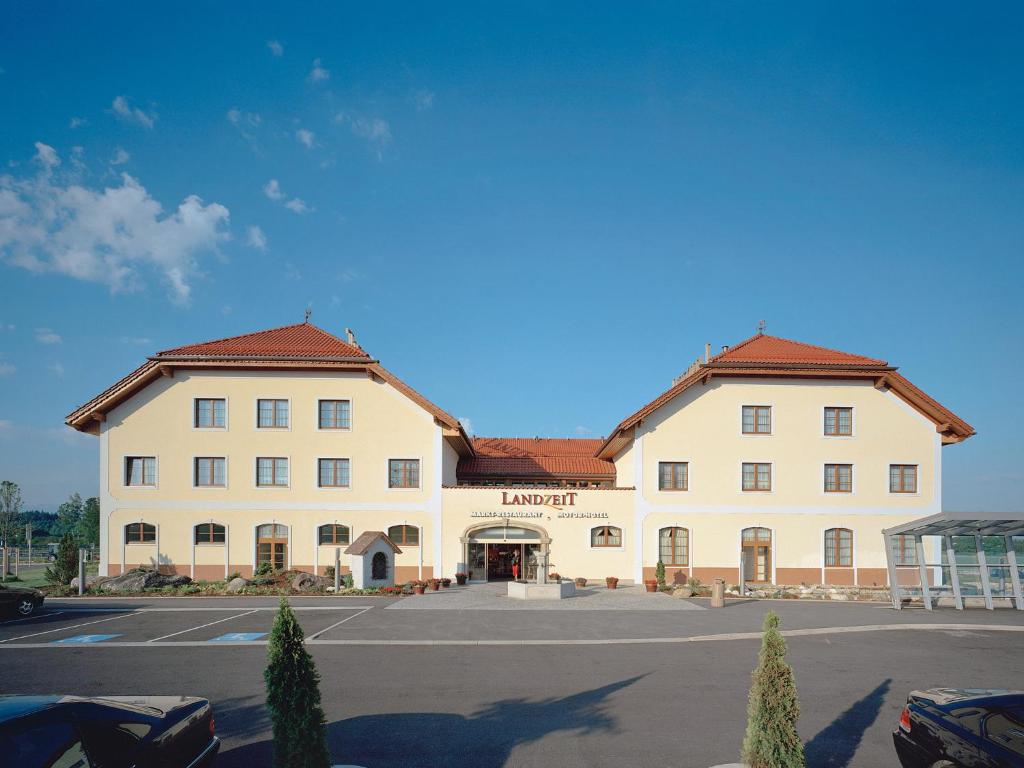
495	598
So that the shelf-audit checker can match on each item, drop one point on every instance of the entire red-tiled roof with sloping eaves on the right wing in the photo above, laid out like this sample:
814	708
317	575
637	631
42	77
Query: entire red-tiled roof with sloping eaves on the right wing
772	357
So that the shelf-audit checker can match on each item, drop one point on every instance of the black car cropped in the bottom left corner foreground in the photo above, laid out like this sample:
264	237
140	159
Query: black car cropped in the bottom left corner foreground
107	733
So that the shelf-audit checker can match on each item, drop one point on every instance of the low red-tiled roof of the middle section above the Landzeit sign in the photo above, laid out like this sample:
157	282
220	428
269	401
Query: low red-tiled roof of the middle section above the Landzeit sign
539	458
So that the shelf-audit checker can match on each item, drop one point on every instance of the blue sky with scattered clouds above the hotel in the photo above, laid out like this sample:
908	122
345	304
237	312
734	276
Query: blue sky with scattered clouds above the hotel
536	216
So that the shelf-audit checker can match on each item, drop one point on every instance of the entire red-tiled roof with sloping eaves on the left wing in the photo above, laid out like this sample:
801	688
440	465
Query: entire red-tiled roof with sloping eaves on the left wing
298	348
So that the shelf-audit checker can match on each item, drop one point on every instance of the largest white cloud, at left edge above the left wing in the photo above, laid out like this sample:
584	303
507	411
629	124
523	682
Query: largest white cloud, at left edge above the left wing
113	236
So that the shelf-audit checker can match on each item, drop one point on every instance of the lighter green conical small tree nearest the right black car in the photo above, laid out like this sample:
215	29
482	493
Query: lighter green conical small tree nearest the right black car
773	710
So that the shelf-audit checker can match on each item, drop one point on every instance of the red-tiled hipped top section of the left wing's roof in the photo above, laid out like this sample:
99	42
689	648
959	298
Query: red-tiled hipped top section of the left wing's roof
302	340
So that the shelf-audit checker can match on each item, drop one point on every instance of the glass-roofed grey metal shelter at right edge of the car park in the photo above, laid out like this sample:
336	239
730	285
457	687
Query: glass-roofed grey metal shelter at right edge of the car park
982	553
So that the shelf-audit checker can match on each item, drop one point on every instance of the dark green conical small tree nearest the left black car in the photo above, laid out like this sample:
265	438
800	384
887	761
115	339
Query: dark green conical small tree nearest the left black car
293	697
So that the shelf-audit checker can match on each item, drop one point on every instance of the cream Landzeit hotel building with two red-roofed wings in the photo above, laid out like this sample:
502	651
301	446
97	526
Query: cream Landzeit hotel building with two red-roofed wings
774	459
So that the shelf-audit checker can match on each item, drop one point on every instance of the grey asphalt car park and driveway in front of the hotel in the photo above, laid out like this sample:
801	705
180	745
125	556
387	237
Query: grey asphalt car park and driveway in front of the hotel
633	703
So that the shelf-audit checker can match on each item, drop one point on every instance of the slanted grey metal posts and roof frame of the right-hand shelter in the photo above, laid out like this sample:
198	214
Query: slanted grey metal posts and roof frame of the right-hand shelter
949	525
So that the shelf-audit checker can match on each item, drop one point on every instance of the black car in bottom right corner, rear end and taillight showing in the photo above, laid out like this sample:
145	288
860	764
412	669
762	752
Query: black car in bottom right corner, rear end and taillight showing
962	729
